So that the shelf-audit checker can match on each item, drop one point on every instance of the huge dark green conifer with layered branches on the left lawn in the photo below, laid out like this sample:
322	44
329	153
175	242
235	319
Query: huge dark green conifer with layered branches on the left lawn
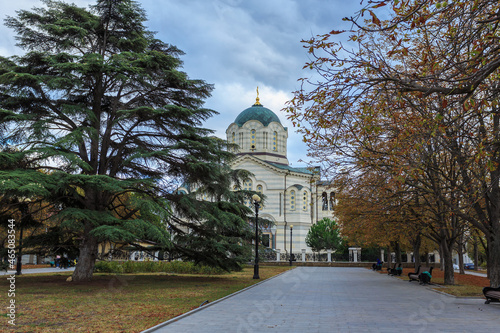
115	127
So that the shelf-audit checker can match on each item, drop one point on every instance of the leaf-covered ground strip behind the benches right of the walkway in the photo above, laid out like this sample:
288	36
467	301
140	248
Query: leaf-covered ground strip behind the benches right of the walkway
466	285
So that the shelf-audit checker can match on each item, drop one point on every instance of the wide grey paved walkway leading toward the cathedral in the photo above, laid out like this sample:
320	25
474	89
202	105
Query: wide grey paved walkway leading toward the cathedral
338	299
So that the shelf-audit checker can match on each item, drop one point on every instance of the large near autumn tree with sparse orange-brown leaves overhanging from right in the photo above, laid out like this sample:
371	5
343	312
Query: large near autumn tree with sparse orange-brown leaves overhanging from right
436	62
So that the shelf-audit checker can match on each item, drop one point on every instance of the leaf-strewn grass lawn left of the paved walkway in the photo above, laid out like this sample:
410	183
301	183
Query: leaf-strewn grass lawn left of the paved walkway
116	303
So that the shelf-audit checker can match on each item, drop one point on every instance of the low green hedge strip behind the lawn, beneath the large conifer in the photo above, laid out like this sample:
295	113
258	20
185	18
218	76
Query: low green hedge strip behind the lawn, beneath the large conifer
178	267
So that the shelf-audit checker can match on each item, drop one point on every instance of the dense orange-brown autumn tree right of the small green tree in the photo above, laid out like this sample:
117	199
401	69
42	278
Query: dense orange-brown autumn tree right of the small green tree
375	210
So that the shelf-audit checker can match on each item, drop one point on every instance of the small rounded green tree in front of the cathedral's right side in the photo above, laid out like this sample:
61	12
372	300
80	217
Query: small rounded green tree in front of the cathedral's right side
324	235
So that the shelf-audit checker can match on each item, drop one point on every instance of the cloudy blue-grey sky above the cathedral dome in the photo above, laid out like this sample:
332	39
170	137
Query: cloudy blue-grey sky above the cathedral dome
236	45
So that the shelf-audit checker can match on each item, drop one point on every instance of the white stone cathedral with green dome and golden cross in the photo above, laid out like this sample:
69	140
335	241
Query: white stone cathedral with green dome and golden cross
294	196
